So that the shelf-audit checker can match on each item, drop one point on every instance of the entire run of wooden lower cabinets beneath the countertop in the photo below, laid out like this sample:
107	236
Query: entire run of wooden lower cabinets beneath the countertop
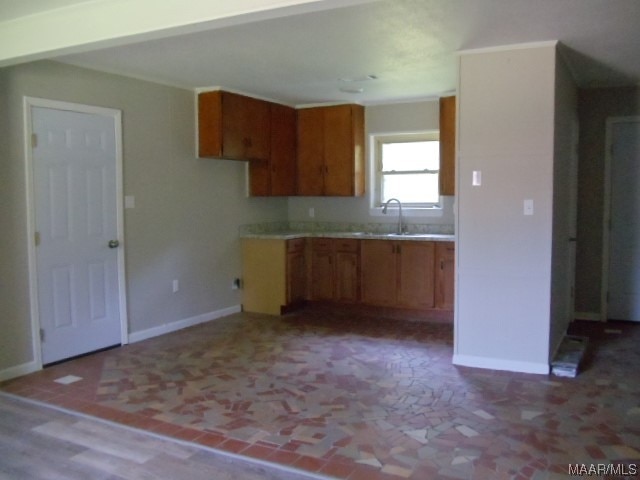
281	274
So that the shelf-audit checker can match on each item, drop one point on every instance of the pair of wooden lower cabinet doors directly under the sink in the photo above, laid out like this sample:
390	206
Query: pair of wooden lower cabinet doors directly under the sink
397	273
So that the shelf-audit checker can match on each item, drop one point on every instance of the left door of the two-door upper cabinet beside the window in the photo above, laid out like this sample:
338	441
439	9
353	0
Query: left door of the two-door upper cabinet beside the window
310	164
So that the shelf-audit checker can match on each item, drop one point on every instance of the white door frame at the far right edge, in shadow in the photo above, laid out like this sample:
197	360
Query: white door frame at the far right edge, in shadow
606	217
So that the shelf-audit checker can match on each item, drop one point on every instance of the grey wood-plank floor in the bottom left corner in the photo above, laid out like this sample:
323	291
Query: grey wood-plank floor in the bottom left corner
39	442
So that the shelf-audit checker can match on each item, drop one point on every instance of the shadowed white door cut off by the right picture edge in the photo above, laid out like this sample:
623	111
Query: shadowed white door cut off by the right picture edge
624	236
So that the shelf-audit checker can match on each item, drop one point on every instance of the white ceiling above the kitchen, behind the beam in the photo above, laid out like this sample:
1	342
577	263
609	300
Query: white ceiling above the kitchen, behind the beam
410	45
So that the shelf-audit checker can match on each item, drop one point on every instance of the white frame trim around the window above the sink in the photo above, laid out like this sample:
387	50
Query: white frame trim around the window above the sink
375	168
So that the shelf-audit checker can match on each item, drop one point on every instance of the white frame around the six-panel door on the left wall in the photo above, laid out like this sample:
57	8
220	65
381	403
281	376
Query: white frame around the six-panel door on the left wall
116	115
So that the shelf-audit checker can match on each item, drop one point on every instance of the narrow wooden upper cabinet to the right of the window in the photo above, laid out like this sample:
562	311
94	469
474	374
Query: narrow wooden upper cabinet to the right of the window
447	145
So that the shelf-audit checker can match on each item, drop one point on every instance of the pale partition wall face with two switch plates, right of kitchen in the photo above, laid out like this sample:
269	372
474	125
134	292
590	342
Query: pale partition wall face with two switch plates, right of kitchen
503	258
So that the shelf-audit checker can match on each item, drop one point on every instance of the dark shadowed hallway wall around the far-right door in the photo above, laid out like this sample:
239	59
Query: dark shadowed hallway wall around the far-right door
595	106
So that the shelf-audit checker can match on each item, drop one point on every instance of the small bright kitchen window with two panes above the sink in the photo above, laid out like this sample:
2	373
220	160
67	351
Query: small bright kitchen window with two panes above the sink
408	168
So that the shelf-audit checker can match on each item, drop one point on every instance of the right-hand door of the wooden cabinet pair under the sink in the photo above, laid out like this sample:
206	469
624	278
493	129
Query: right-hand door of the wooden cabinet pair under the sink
415	274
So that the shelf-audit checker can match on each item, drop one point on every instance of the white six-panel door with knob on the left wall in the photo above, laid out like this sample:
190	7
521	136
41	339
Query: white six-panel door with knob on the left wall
74	172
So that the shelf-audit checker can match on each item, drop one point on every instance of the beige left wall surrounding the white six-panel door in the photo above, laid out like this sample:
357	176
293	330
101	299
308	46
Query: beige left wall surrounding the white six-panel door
185	222
